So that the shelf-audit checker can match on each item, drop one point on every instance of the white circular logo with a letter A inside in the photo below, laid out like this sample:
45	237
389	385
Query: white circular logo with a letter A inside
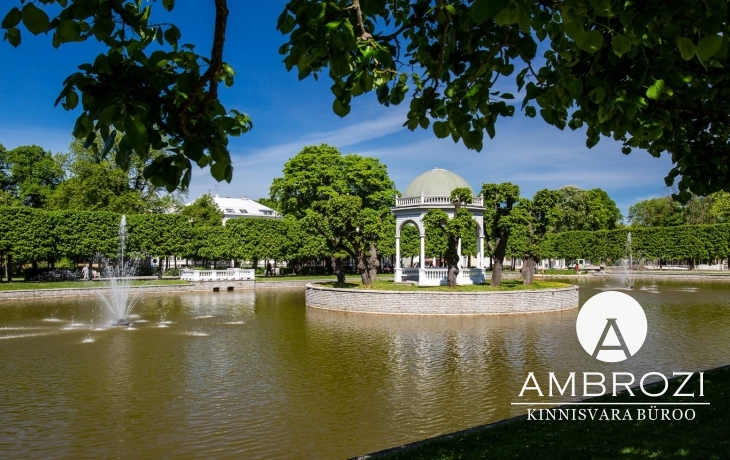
611	326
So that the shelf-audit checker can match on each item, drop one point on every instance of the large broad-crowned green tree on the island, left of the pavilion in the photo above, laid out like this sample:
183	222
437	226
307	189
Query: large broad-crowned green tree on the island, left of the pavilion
341	198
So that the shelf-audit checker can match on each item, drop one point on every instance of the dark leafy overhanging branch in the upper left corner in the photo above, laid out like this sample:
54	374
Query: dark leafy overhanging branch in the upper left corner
146	86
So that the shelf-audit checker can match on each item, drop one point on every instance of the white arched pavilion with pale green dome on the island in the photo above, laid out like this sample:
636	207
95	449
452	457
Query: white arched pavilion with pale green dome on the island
430	190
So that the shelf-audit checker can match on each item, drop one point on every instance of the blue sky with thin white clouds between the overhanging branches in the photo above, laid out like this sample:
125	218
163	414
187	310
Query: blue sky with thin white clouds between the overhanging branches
289	114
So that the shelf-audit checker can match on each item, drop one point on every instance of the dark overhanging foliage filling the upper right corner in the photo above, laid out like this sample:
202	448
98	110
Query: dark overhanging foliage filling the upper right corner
649	74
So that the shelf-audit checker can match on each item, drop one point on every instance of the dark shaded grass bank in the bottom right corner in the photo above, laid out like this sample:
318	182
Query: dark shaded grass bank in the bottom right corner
705	437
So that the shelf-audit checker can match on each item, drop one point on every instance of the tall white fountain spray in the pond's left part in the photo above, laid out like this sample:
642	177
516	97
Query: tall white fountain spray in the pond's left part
119	299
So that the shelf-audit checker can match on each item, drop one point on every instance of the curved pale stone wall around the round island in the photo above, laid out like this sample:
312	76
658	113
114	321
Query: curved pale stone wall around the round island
441	303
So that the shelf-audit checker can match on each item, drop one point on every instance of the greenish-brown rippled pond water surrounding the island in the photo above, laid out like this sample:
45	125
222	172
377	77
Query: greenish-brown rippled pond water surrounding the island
259	375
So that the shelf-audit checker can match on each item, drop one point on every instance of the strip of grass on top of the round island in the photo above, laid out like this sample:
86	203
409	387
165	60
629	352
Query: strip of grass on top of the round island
506	285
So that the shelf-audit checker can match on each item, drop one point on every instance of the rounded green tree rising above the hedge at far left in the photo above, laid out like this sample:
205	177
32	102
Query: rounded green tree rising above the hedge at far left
34	174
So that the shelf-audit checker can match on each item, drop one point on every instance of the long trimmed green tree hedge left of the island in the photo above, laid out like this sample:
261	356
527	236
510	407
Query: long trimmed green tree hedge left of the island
34	236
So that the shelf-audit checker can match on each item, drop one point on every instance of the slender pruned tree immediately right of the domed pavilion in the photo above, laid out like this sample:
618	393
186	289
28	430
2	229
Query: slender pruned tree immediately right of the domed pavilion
499	201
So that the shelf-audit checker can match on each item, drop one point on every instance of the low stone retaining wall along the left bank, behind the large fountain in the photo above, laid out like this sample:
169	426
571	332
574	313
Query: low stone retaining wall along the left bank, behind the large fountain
96	291
